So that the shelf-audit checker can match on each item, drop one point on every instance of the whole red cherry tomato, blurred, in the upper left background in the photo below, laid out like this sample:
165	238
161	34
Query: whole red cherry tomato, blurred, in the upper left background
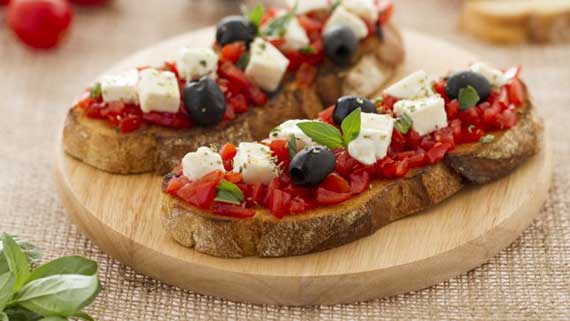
40	24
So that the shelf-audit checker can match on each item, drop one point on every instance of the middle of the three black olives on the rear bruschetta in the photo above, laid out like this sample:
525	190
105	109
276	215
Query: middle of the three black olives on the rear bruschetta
235	28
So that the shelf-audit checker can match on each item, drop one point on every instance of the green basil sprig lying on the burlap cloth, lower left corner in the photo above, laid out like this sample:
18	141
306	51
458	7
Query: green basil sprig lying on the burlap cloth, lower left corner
55	291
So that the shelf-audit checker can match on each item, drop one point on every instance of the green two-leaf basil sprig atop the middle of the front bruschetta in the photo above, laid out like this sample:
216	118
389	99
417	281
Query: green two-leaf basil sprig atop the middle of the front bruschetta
329	136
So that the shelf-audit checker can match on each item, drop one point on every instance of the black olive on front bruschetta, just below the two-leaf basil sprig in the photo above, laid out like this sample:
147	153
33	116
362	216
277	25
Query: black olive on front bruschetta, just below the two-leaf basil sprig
311	166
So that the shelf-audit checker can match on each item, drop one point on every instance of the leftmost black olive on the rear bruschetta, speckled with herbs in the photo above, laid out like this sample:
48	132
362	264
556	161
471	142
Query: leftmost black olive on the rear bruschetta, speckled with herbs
204	101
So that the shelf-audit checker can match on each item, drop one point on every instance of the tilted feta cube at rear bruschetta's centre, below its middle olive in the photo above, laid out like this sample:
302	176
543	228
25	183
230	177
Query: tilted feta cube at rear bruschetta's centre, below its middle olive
267	65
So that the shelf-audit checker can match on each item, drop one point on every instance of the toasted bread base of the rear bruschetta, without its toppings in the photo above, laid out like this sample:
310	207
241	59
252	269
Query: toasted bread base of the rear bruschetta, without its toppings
154	148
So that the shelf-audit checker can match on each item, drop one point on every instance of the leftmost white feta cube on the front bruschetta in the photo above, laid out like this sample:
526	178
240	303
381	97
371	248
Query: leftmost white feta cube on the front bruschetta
200	163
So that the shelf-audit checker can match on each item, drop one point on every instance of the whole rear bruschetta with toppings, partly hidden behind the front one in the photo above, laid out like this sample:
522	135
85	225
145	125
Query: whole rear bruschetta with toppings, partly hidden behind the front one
265	67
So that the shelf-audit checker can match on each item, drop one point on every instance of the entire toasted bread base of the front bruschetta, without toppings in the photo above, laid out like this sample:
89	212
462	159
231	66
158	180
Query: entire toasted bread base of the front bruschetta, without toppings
362	215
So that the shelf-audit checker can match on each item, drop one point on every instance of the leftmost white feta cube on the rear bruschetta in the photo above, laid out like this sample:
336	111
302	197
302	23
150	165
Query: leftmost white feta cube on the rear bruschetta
120	87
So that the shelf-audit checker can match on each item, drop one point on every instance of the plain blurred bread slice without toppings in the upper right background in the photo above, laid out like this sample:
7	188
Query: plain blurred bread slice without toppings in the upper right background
516	21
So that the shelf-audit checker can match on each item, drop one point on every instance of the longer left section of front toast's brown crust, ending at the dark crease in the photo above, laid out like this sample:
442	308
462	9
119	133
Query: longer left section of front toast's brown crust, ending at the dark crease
316	230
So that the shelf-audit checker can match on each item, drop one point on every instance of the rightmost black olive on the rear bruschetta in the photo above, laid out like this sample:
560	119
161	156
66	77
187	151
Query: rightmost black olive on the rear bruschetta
340	45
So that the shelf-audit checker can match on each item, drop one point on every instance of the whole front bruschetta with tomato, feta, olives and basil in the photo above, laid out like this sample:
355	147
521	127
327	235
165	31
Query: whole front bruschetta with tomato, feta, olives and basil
312	185
